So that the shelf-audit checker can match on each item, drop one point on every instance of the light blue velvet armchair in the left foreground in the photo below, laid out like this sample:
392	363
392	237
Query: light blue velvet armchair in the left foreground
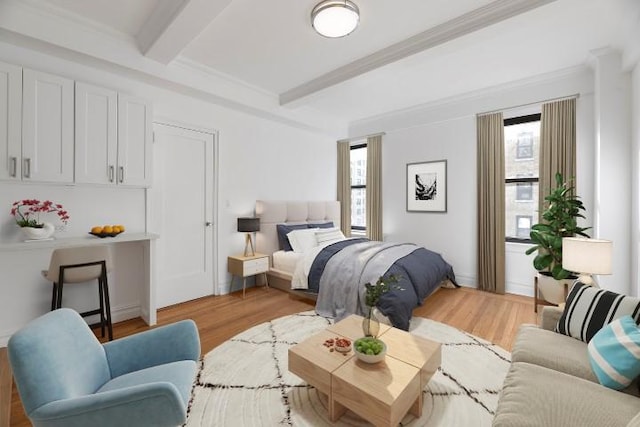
65	377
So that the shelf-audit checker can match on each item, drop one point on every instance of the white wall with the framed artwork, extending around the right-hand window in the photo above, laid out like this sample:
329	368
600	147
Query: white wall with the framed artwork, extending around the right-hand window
447	130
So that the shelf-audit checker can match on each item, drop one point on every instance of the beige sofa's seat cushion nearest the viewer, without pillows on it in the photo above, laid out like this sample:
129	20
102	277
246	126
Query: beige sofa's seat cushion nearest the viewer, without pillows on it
526	400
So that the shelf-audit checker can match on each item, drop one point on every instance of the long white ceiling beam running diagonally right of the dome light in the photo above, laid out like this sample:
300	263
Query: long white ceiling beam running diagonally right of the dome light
475	20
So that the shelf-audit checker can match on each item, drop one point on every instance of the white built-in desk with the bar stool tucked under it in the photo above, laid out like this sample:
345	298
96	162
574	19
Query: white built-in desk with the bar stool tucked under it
25	295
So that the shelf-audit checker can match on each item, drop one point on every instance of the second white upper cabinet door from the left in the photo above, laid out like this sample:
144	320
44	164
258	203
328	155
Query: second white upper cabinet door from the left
47	127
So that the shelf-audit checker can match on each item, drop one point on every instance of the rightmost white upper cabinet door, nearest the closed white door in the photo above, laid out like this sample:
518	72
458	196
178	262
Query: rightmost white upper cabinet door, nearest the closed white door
134	141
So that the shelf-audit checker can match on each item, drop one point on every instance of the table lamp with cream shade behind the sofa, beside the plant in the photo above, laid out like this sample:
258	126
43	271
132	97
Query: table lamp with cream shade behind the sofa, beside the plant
587	257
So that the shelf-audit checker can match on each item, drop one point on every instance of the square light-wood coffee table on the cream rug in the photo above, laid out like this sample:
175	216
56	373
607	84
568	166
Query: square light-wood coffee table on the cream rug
381	393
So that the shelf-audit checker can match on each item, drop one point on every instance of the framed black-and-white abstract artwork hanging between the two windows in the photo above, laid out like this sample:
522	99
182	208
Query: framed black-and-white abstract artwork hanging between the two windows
427	186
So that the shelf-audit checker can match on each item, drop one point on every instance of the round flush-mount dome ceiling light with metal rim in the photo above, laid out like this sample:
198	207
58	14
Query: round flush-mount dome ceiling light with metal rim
335	18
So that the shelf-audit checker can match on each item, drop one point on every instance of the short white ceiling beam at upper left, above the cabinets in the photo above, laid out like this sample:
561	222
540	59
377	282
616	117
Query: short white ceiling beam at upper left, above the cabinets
174	24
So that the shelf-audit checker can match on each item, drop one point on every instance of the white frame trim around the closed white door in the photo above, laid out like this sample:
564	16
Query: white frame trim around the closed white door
216	170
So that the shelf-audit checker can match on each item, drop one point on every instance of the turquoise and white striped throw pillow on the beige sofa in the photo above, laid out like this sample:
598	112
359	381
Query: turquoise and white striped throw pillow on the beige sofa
614	353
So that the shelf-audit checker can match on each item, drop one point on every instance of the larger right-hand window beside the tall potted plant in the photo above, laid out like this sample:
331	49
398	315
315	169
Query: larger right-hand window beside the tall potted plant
522	162
